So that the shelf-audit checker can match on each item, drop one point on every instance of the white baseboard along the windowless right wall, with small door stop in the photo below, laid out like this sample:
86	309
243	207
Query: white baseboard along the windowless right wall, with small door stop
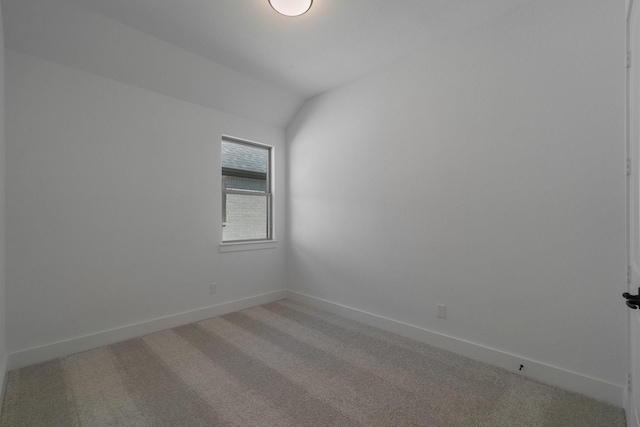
592	387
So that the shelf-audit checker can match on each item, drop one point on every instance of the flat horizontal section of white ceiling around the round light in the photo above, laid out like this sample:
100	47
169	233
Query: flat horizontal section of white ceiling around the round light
335	42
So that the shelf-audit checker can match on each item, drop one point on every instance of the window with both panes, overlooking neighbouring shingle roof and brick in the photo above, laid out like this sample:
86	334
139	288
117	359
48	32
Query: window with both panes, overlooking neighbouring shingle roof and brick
246	191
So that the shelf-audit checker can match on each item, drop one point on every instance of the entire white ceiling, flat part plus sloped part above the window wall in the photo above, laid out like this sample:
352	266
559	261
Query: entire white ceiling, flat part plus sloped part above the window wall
289	58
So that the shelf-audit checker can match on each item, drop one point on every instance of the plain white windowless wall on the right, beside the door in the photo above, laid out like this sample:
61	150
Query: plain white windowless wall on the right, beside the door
486	174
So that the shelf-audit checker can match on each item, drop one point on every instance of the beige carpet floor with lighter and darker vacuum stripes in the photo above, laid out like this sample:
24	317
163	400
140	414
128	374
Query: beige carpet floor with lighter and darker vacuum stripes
285	364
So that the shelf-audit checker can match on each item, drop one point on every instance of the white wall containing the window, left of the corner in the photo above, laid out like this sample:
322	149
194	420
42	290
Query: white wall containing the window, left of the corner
114	207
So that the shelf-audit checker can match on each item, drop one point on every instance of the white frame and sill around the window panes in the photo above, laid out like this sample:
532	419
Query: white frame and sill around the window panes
250	244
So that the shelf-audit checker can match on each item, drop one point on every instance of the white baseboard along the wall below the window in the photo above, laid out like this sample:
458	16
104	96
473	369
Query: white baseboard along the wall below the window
51	351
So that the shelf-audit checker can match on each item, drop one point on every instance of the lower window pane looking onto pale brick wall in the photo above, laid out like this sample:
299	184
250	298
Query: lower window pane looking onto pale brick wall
246	217
